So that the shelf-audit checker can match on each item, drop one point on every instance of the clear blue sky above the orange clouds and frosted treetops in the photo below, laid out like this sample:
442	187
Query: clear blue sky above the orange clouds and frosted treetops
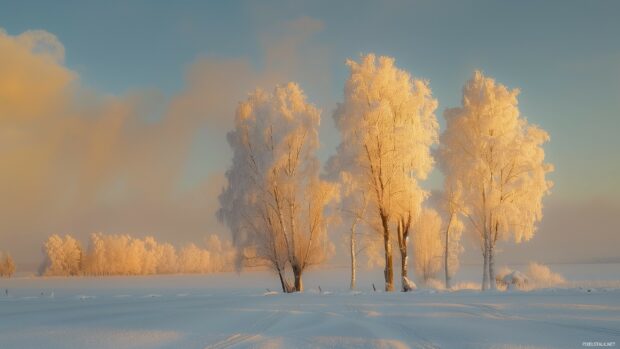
563	55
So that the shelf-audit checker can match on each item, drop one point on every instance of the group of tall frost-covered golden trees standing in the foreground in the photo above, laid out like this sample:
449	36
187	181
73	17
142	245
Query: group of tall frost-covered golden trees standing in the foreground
278	206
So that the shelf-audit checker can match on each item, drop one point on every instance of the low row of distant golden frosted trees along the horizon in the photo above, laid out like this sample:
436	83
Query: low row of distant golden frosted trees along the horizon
118	254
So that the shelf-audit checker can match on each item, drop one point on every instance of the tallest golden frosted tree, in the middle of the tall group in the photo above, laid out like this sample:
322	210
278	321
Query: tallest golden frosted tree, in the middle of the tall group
387	125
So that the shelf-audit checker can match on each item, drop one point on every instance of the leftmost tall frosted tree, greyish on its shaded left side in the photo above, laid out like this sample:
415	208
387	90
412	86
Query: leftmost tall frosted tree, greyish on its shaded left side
274	202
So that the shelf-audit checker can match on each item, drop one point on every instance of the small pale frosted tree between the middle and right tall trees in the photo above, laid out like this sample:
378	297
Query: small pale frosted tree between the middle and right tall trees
427	244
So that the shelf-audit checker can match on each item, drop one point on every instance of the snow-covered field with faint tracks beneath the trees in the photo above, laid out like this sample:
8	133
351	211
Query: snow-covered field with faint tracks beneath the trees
220	311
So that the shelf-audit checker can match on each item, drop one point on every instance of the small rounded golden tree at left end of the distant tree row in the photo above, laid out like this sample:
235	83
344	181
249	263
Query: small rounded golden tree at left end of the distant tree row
62	257
